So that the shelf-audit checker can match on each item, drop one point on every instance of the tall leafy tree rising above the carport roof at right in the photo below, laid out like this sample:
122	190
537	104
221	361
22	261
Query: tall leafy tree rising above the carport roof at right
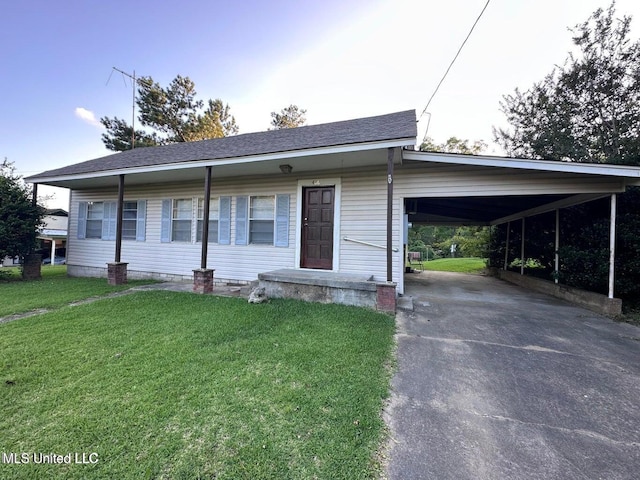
587	110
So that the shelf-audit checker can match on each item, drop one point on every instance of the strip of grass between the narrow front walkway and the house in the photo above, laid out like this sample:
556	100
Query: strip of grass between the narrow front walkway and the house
54	290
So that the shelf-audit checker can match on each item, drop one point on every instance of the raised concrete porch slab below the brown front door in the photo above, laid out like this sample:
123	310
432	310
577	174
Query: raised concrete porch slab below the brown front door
329	287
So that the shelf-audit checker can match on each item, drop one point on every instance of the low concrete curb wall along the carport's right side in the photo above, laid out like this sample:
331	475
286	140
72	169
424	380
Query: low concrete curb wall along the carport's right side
595	302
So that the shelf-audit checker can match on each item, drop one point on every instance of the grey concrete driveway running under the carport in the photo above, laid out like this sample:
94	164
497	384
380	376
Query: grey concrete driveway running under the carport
495	382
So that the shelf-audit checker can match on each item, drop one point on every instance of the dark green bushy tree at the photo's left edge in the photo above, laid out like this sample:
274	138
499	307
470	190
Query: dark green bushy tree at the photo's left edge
19	217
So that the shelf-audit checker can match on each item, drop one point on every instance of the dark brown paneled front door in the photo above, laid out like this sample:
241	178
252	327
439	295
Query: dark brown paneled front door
317	227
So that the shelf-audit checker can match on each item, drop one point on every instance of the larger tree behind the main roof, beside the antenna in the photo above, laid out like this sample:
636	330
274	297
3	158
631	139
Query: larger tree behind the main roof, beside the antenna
170	115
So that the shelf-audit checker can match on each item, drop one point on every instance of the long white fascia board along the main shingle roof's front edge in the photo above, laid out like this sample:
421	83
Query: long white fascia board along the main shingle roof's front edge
235	160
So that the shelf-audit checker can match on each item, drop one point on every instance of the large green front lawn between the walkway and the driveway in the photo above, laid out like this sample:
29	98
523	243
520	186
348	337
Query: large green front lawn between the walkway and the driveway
181	386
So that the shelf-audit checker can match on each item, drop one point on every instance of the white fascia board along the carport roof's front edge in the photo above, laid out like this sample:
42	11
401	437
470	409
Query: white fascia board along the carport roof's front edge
524	164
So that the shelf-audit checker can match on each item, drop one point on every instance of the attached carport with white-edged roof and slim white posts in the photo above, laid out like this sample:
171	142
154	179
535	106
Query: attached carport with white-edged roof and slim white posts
455	190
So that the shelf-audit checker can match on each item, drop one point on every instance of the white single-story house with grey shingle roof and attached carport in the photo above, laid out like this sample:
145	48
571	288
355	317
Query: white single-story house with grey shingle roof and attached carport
334	197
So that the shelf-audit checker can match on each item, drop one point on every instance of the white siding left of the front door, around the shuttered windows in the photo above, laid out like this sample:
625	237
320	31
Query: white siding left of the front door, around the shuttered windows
231	262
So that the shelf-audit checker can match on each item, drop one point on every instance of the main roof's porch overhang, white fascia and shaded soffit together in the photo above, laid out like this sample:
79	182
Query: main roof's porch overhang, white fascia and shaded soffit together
316	159
